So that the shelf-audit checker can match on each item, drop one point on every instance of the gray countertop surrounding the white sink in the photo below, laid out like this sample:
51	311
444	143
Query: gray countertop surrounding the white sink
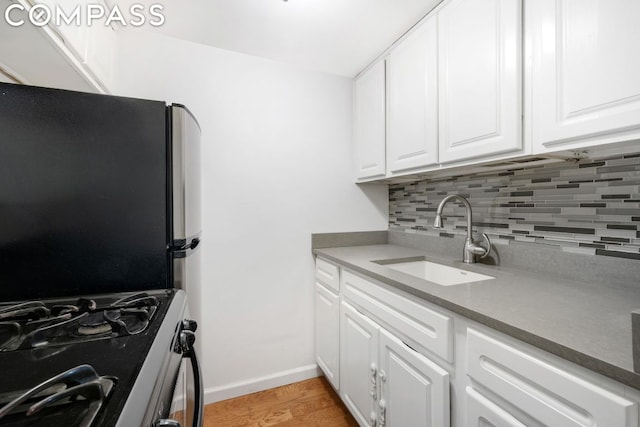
588	324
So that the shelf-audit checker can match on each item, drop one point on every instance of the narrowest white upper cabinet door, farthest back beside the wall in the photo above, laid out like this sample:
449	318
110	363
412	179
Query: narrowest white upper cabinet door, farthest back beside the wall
370	122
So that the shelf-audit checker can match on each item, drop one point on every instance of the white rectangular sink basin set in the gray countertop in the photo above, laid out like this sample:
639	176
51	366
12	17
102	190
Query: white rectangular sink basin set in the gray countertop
437	273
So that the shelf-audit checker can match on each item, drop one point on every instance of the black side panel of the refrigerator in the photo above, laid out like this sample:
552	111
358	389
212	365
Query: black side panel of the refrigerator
83	193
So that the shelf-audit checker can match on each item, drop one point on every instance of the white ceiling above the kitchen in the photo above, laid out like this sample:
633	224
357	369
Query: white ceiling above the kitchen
334	36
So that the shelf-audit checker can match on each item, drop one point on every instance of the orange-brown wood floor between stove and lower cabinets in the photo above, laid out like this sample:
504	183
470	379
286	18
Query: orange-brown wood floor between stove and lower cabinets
307	404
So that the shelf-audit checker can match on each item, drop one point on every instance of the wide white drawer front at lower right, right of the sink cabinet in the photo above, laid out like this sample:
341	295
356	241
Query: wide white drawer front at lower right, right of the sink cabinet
549	393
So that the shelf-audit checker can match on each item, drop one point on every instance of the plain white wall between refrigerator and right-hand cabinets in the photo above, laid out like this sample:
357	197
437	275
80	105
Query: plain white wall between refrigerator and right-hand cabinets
276	168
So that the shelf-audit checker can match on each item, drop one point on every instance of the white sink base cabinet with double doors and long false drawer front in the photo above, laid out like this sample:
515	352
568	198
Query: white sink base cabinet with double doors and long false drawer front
382	376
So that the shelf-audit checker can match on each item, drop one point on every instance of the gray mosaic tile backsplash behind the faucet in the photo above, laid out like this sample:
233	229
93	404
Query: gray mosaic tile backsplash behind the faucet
589	207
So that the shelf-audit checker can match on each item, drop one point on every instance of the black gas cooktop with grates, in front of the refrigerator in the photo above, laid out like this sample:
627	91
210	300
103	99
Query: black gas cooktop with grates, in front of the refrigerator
72	361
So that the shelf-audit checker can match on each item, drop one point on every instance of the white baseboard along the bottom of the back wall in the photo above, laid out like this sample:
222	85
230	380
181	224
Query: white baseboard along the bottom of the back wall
229	391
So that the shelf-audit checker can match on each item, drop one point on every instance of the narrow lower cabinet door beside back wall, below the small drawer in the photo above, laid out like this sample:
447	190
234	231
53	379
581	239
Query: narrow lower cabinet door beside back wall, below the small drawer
328	334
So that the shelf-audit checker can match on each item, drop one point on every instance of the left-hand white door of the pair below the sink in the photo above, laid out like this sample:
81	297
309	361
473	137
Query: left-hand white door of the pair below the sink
358	364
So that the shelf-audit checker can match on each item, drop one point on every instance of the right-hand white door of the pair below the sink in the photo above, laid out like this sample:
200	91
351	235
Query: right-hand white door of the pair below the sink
414	390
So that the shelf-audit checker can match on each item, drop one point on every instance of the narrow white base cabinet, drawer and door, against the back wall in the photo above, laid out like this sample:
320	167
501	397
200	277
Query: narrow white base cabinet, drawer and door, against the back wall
327	319
